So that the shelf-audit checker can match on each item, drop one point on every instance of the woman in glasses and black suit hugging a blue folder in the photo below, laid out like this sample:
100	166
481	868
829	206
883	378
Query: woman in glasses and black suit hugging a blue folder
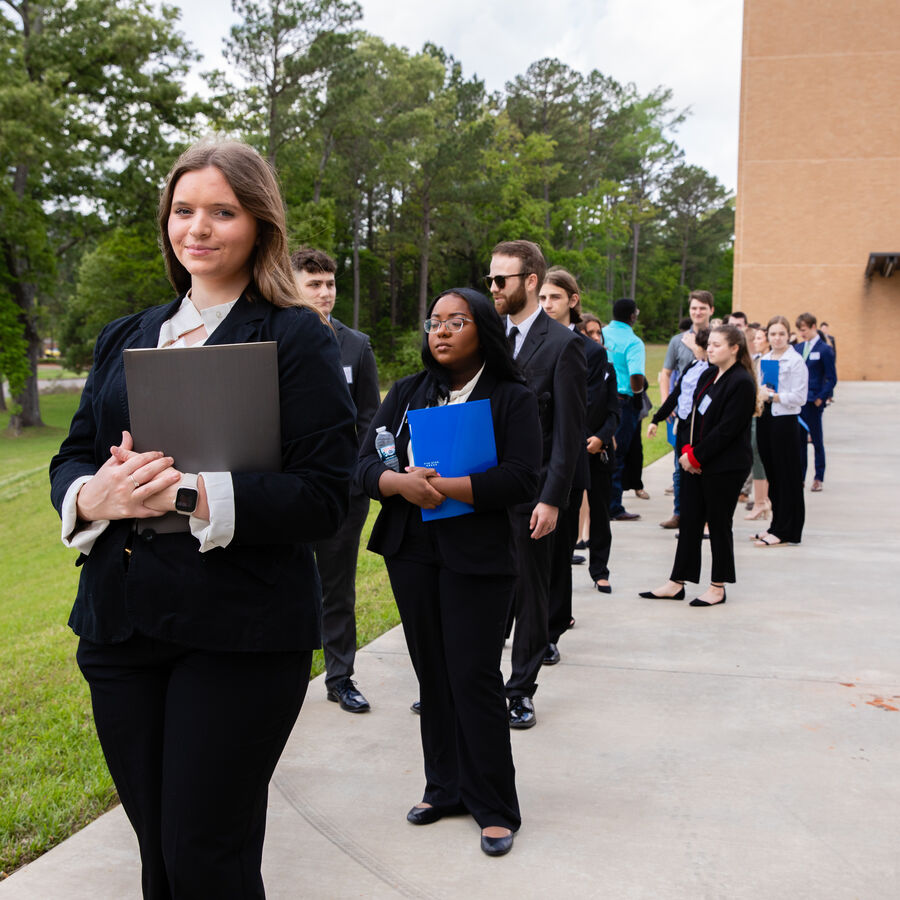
453	578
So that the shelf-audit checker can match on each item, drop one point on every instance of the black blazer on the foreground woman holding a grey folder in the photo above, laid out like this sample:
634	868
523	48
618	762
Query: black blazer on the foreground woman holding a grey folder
261	592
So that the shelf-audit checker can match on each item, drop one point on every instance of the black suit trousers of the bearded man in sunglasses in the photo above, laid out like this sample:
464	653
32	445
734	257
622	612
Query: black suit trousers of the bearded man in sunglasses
531	606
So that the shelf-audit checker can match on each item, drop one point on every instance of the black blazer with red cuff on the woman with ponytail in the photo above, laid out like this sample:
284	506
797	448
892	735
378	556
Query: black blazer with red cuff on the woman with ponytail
721	434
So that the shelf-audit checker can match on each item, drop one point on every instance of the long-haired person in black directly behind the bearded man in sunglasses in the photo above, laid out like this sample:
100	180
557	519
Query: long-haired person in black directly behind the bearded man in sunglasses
561	300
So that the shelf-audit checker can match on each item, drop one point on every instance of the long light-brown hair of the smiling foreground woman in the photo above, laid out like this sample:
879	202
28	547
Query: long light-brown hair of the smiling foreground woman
256	187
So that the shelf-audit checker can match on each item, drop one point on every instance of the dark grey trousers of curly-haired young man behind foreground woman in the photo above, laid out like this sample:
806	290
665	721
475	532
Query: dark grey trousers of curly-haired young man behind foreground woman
336	559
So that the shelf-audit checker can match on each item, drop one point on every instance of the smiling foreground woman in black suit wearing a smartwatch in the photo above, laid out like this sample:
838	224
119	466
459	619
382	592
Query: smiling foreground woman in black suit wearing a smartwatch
197	644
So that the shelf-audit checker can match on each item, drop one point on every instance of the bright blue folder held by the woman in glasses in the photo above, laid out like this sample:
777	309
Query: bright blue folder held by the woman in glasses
454	440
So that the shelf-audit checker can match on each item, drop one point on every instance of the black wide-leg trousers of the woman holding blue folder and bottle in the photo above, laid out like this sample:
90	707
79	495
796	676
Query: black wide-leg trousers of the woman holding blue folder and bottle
454	626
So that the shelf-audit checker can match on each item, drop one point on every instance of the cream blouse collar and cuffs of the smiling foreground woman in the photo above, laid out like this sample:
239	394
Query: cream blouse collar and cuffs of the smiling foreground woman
219	529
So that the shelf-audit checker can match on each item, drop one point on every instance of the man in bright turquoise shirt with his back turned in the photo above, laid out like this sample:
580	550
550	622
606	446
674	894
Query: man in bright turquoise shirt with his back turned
628	356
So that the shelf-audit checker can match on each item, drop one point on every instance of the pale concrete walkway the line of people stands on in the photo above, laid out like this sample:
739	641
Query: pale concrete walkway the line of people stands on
744	751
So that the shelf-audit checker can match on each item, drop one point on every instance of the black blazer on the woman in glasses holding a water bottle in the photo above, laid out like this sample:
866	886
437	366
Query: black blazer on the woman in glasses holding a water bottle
481	542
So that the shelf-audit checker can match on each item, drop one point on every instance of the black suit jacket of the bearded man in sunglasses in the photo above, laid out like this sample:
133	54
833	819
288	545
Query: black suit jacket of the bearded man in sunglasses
552	358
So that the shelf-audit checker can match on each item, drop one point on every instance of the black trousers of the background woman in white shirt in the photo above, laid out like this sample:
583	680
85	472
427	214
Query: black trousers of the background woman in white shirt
780	440
